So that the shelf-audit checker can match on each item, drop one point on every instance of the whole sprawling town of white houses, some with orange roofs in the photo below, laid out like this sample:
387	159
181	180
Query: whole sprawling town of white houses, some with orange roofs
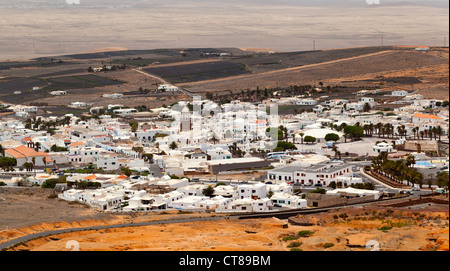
202	137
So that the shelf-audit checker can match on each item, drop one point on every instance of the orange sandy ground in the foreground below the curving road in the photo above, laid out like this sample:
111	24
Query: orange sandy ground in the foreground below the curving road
408	232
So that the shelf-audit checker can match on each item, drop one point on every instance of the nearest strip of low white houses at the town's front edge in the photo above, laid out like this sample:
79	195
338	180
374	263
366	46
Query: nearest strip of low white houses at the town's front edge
122	194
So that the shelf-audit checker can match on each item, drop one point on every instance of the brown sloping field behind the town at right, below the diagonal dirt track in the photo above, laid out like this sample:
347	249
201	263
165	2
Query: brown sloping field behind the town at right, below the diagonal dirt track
363	70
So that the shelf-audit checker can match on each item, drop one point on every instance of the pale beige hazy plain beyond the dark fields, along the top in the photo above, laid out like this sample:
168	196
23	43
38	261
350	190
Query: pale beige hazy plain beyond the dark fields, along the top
33	28
